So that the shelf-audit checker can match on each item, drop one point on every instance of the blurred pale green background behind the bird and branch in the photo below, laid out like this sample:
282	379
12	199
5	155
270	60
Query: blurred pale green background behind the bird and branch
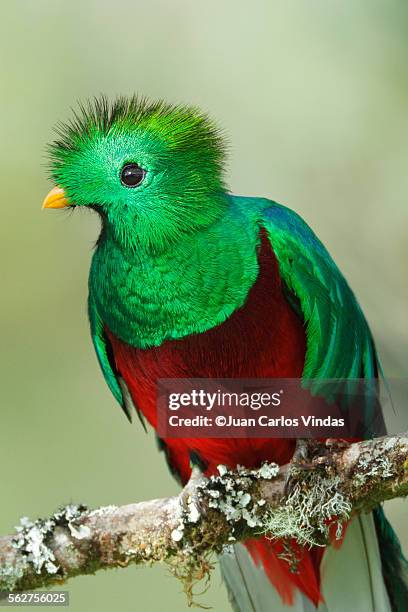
314	98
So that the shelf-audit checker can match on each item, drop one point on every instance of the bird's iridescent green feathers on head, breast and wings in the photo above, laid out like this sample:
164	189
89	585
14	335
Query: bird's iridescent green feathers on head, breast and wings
177	253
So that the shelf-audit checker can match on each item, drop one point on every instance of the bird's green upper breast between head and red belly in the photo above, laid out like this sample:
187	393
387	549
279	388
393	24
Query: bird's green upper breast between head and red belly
191	287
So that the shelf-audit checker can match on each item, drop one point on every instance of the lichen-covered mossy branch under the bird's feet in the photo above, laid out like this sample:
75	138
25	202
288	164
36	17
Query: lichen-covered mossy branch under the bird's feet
337	481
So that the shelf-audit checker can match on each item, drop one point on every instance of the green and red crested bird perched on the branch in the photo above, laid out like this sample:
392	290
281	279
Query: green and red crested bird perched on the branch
189	280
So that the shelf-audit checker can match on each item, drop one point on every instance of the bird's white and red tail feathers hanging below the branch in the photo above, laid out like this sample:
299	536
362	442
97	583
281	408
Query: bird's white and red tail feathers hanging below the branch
349	577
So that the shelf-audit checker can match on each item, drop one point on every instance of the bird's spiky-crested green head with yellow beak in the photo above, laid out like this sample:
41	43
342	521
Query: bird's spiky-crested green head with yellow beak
152	171
